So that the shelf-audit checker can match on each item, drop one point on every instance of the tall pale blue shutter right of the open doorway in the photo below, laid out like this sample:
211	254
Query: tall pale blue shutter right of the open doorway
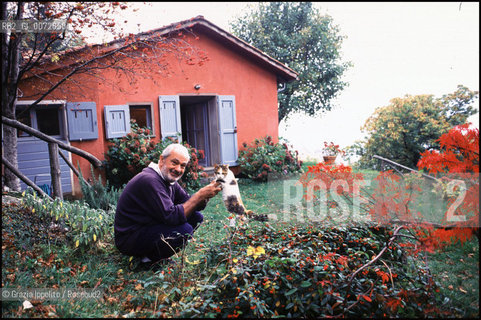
228	129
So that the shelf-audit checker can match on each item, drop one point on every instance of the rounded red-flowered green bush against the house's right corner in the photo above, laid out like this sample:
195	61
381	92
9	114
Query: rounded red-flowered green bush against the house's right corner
264	158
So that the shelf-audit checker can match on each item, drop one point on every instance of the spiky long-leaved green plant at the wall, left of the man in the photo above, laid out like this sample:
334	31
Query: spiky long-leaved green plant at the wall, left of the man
97	195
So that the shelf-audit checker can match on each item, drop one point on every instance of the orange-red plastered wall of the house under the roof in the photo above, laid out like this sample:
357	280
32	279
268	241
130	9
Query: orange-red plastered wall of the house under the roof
224	73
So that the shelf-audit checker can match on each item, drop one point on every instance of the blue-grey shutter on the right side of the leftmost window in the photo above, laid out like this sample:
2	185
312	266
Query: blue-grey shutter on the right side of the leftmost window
82	121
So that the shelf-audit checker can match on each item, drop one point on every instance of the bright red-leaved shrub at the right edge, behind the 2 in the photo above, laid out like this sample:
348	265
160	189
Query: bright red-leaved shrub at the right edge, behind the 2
458	160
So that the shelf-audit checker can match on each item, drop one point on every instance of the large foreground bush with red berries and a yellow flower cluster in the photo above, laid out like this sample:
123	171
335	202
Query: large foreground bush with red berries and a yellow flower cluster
305	272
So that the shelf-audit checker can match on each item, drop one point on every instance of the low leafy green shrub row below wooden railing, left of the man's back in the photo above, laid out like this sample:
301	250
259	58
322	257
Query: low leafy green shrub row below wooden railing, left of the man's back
86	225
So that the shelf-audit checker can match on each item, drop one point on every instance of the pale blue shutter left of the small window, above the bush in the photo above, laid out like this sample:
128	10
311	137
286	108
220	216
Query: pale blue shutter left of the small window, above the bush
117	121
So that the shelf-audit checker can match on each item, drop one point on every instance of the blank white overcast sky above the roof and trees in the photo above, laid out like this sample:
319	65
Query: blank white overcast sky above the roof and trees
397	48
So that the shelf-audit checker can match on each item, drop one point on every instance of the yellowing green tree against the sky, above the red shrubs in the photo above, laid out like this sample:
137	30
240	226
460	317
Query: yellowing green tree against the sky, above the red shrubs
408	126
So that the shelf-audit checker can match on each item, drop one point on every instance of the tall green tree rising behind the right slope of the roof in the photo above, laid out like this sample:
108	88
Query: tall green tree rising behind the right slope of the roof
297	35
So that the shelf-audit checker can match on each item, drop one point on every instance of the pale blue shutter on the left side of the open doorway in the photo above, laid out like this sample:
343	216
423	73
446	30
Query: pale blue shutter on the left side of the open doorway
169	112
